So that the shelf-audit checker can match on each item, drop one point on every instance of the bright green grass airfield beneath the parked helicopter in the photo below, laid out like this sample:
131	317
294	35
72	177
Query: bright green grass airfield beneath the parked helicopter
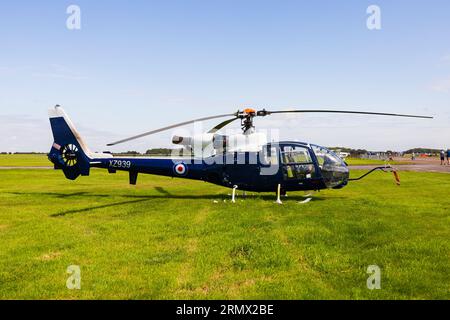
176	239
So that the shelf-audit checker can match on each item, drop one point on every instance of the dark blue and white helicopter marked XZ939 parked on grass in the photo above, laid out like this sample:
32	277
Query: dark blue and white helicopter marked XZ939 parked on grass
246	161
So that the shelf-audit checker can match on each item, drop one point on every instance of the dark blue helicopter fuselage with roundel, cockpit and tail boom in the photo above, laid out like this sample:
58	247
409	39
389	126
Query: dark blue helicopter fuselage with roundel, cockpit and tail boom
292	165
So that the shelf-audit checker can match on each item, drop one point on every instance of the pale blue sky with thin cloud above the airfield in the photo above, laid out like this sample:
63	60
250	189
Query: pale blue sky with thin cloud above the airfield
134	66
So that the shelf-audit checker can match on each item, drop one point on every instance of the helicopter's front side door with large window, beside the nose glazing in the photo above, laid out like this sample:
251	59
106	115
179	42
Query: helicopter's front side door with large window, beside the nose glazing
297	163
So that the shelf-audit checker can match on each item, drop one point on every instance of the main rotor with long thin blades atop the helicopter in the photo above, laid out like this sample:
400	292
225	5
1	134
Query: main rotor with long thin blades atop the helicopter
247	115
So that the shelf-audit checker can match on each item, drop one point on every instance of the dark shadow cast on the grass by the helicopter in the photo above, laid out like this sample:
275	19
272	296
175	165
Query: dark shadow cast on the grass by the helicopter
163	194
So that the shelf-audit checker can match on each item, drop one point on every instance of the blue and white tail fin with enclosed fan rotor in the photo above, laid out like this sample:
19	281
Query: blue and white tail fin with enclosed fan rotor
69	152
